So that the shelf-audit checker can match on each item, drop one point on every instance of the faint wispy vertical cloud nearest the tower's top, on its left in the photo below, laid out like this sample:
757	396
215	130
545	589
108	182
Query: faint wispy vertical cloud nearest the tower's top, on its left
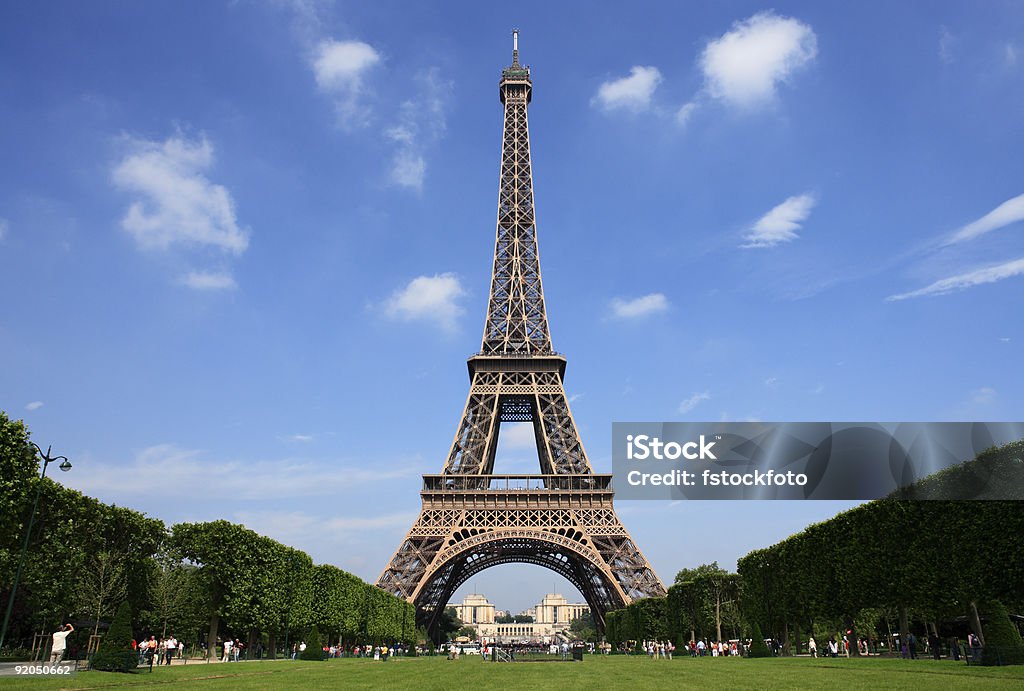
421	122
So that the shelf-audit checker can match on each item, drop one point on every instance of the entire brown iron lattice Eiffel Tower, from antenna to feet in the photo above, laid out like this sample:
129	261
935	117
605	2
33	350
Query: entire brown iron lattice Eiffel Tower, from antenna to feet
564	519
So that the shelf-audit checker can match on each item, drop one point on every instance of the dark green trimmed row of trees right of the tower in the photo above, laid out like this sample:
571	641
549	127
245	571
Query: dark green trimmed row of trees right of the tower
906	562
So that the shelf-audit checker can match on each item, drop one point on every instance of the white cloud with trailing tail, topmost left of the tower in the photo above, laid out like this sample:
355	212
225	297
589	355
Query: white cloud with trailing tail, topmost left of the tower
340	68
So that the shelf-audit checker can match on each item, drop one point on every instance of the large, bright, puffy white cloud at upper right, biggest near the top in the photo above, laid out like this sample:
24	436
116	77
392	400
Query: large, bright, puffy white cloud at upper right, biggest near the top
746	65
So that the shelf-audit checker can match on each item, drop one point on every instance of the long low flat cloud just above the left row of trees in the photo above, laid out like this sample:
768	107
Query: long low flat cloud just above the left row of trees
191	474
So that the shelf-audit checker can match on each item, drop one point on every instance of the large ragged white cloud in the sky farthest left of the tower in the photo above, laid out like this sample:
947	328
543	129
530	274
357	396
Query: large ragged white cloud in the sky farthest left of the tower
176	203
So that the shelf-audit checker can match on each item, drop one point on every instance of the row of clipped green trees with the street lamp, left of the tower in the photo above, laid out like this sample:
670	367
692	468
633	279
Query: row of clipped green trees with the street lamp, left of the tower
87	557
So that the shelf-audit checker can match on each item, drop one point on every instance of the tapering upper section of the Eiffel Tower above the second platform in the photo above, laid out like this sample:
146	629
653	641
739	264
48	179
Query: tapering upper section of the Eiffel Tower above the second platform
518	322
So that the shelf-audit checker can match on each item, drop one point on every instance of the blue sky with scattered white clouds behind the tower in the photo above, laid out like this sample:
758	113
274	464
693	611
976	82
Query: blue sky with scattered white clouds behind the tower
245	247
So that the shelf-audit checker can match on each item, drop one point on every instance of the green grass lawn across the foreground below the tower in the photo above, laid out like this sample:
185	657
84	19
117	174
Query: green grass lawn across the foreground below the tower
593	673
